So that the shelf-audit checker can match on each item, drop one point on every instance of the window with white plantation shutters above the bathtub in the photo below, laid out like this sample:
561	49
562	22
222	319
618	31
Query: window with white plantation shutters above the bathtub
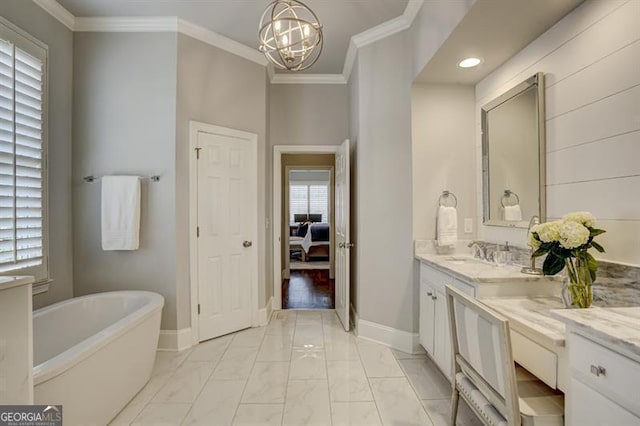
22	136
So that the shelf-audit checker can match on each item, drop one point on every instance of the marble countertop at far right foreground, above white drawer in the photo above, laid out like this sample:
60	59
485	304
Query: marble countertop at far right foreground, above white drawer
618	326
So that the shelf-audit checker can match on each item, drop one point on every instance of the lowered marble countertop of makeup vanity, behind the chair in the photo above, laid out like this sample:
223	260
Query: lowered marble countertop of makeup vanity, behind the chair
531	316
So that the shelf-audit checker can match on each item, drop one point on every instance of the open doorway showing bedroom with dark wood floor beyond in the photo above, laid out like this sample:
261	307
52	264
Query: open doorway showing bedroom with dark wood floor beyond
307	231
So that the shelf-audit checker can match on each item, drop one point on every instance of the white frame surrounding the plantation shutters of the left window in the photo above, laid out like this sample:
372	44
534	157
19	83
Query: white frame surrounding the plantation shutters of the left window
29	44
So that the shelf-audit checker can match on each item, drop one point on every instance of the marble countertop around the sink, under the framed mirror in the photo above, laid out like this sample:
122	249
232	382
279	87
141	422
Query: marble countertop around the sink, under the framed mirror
479	271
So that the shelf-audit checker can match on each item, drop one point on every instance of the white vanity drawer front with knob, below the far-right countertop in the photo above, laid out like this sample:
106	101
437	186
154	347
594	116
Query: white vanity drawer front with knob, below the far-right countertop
606	371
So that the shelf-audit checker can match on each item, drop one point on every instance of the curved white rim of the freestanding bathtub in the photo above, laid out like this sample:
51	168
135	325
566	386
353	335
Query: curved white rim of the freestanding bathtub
62	362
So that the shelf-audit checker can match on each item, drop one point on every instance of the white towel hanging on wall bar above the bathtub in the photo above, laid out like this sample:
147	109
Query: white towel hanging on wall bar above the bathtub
120	212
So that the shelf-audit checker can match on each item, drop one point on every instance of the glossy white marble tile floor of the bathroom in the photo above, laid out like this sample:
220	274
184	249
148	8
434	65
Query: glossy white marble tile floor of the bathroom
301	369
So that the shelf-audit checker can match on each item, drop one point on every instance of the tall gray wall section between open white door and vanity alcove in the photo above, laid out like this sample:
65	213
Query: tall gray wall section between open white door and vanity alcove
386	293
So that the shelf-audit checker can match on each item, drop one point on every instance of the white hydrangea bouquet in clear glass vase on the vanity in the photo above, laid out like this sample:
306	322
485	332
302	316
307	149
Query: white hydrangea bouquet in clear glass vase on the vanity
566	243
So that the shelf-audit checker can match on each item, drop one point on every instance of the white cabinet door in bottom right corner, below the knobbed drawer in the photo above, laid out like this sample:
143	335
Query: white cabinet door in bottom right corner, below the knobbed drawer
586	407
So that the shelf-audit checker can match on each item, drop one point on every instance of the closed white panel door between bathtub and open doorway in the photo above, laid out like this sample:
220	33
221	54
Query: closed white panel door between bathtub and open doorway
227	202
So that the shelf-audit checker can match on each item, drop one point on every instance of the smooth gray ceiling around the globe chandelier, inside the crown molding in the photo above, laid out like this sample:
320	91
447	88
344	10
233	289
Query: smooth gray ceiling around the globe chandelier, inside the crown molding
238	19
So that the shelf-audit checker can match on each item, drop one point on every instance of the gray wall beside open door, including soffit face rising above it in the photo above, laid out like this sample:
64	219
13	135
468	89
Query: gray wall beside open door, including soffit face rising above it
386	277
